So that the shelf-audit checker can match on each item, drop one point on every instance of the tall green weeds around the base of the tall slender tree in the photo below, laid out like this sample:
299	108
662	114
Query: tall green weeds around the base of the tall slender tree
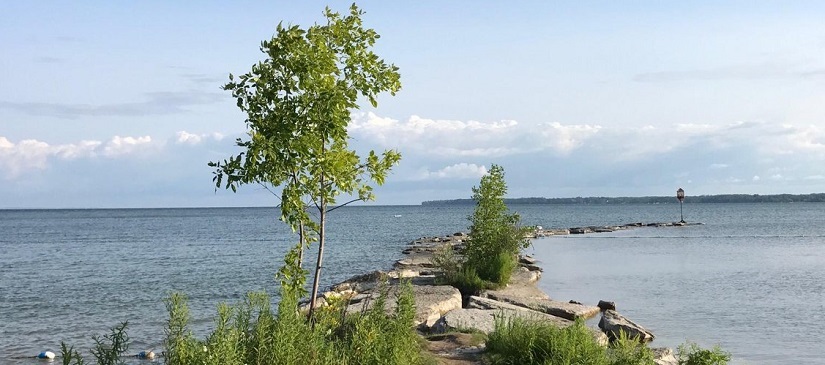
251	333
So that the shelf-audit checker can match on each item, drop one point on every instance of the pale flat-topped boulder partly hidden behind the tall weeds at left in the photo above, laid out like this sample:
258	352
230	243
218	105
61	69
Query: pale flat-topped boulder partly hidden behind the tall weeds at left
431	302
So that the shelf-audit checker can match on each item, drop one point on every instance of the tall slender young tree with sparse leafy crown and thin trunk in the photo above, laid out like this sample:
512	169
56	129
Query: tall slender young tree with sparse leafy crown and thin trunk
298	103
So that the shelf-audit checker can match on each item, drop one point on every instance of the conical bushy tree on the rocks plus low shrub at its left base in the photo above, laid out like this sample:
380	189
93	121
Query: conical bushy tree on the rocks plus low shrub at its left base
491	252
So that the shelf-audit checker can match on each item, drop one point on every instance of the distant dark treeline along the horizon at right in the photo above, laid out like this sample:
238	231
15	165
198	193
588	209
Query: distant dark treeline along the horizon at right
724	198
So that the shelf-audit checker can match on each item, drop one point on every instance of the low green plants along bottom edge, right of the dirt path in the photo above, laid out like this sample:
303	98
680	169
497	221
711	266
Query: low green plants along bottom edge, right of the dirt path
521	341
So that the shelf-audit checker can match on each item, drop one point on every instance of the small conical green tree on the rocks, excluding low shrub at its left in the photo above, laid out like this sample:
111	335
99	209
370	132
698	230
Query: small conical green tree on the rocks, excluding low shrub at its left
495	235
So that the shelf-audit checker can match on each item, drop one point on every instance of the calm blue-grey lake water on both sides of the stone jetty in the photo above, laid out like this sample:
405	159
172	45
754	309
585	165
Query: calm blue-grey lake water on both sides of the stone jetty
750	279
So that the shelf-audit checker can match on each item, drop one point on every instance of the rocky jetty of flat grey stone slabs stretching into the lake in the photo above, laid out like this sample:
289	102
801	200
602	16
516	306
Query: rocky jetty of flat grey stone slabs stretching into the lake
445	316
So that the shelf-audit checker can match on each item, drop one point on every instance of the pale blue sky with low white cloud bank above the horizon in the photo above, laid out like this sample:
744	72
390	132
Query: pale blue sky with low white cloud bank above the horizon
119	104
